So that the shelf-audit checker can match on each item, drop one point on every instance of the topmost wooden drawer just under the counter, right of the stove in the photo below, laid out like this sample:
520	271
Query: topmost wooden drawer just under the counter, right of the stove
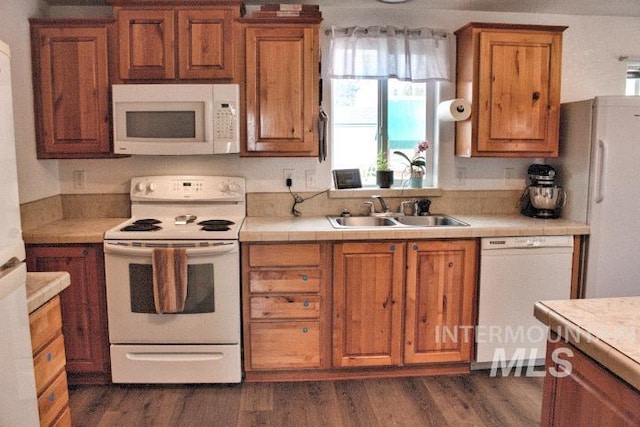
284	255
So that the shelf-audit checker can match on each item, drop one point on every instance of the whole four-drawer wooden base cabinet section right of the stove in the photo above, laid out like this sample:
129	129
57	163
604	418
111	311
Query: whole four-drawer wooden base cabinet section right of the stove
286	316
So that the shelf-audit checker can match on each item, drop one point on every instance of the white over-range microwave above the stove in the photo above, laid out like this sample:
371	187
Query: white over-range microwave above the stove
176	119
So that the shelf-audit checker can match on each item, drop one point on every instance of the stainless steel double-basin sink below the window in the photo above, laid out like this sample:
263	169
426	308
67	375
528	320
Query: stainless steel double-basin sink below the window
436	220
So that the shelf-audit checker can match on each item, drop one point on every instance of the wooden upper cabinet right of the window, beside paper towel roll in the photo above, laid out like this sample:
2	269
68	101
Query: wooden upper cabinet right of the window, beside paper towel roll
511	76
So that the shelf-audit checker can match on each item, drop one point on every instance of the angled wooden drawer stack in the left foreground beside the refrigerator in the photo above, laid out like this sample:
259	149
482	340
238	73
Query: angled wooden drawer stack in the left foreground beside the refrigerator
47	343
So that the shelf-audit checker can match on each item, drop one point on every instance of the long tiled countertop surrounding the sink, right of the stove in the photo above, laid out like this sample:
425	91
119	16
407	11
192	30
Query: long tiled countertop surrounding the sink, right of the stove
258	229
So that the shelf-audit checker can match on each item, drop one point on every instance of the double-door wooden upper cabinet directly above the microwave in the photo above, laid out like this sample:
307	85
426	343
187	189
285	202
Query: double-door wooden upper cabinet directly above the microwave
176	42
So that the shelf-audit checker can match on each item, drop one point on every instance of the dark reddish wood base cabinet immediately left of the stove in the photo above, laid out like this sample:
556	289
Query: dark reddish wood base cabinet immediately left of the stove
83	303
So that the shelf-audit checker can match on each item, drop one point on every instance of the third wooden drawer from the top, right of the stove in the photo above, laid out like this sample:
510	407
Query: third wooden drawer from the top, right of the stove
285	306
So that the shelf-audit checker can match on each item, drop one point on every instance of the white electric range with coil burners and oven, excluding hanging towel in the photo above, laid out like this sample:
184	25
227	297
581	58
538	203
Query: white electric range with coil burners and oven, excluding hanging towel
201	216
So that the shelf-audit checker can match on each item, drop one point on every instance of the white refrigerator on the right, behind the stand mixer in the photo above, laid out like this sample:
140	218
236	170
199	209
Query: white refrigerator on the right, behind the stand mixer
599	168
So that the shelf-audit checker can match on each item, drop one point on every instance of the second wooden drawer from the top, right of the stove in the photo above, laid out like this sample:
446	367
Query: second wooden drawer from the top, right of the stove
285	281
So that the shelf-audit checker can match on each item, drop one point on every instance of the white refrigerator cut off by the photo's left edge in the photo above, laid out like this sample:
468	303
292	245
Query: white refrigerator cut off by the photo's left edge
18	403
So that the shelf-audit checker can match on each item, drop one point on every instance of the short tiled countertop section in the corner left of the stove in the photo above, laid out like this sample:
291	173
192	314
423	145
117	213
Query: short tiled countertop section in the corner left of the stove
66	231
